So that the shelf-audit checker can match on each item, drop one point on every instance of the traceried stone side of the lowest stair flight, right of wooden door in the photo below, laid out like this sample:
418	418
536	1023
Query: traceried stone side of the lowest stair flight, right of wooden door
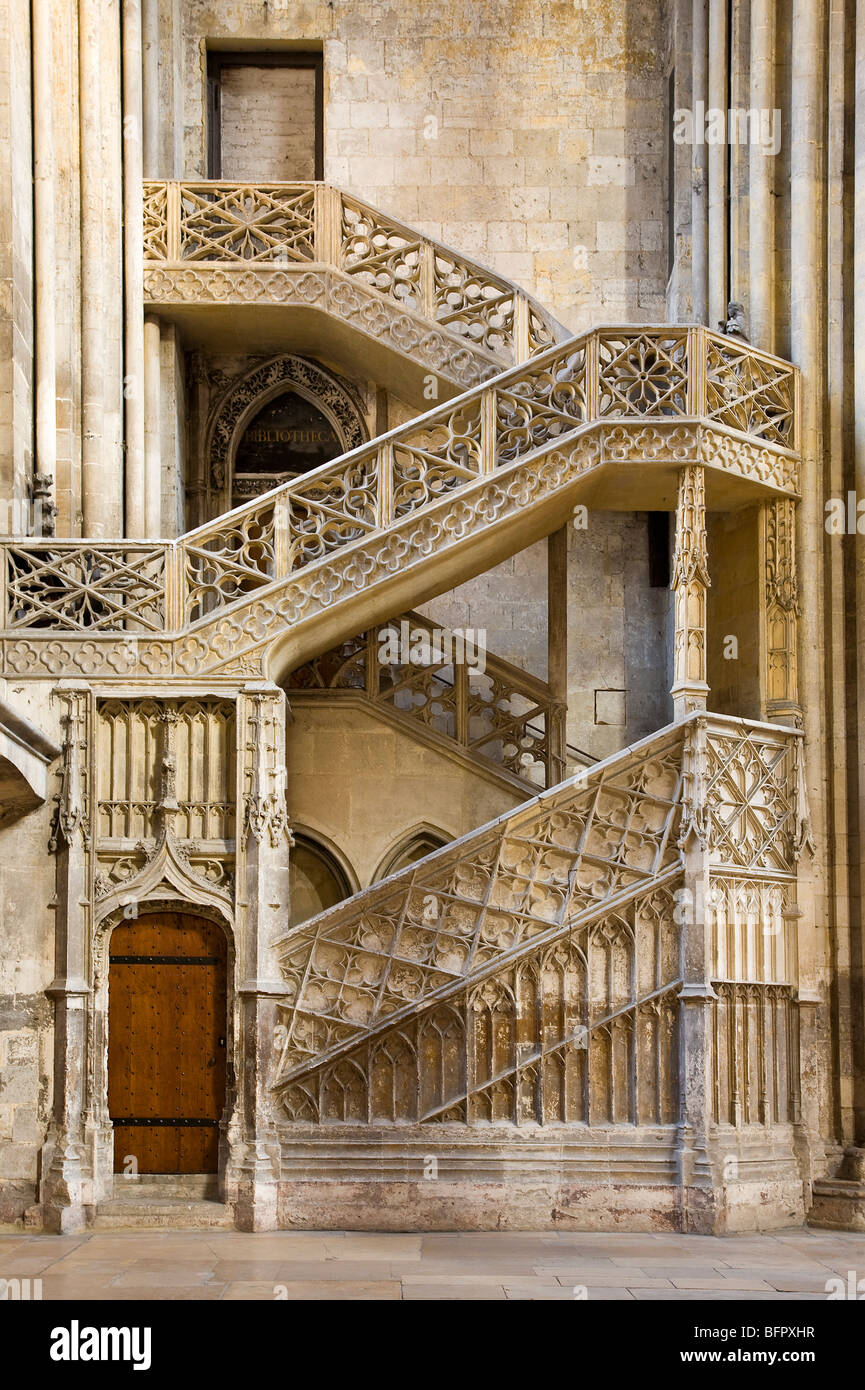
554	892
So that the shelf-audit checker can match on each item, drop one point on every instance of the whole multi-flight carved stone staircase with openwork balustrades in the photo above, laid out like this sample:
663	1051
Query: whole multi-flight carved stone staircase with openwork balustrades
543	975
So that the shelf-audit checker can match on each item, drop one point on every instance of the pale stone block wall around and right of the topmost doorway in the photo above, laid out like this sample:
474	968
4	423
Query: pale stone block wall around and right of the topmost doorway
529	137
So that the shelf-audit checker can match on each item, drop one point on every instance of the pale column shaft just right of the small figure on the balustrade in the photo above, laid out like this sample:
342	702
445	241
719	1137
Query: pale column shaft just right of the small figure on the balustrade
761	183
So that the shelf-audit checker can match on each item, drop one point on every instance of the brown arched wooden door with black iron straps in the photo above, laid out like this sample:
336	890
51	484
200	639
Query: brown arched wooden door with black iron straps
168	1043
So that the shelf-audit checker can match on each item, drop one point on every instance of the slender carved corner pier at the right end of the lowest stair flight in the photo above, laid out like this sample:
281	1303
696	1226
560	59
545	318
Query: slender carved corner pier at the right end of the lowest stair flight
697	997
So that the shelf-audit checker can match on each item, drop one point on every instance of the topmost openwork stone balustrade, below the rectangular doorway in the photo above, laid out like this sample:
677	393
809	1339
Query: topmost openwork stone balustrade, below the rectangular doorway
314	247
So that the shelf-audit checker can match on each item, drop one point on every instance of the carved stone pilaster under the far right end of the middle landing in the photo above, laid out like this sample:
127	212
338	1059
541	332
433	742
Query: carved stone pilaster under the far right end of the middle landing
779	626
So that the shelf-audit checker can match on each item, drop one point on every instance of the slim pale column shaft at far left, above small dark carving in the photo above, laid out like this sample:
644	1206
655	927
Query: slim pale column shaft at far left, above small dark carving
45	251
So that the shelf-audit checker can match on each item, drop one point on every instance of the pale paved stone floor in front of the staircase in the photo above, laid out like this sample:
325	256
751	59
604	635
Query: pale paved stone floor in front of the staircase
343	1266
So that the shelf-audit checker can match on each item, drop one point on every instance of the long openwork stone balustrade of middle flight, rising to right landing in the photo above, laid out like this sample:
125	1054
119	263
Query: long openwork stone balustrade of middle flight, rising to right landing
610	419
